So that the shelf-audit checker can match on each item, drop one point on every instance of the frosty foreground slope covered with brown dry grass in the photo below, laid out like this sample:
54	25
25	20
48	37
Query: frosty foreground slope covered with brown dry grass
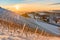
13	31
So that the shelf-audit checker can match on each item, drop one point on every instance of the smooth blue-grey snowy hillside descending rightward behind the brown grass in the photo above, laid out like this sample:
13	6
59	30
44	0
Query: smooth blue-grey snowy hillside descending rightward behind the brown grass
11	17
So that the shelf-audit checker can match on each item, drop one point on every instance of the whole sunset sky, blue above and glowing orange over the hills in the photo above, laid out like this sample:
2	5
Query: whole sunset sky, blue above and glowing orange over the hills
31	4
